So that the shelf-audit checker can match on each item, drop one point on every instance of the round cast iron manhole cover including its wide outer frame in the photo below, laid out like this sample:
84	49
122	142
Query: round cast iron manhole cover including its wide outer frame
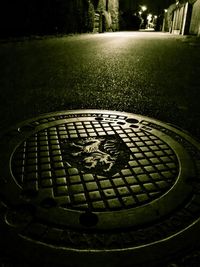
90	186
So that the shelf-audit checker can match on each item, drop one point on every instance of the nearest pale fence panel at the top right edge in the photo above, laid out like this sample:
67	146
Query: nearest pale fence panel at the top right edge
195	20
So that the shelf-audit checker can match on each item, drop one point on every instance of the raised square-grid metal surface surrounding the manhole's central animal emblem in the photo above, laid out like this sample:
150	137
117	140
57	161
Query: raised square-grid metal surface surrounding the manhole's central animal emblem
152	168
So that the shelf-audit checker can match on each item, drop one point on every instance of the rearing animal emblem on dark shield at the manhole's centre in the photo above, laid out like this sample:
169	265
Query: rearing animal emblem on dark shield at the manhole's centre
104	155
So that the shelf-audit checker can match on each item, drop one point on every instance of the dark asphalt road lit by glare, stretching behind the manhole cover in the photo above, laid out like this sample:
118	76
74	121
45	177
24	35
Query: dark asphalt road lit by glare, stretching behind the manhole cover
153	74
